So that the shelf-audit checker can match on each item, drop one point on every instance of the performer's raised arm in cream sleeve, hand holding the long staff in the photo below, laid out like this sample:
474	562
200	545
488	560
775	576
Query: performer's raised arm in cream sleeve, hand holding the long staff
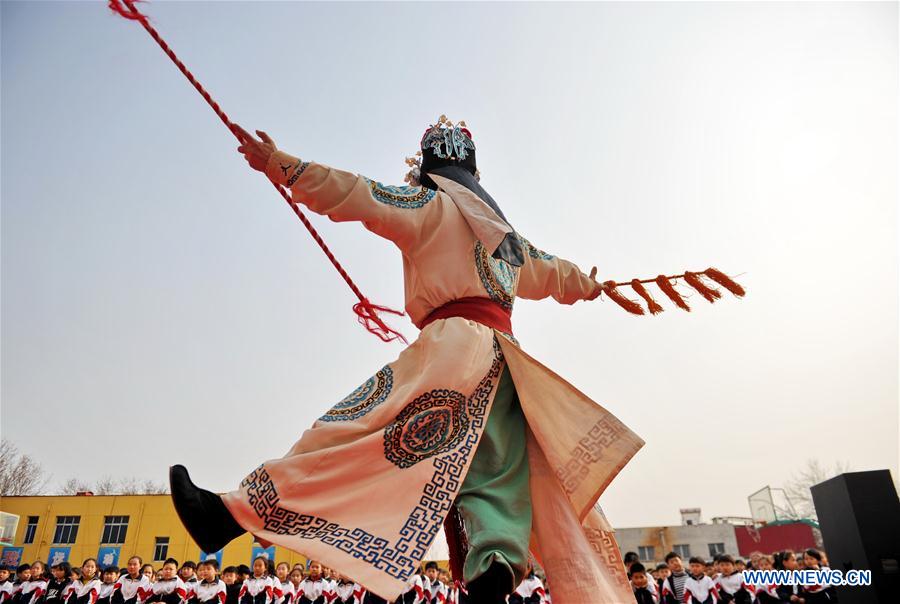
395	213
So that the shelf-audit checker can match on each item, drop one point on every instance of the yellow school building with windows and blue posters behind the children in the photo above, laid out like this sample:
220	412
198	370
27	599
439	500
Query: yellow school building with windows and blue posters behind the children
111	529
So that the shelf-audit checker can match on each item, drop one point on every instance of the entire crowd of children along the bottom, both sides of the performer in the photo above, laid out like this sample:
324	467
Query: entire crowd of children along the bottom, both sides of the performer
717	582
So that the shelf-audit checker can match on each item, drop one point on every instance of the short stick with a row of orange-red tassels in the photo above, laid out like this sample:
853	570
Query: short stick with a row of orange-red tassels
667	286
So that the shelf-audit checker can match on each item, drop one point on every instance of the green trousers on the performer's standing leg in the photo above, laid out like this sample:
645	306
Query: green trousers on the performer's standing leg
494	500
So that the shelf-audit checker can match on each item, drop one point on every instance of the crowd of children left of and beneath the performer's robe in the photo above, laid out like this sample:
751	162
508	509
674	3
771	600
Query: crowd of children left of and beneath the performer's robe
190	583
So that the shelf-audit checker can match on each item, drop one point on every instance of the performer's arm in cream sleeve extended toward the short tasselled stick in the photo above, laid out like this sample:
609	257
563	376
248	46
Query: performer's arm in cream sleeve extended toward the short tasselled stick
545	275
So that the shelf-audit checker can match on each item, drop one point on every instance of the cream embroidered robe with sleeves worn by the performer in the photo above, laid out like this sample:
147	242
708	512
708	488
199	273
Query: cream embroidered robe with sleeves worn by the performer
404	439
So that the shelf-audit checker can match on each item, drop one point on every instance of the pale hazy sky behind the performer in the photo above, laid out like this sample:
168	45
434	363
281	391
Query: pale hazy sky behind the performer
161	305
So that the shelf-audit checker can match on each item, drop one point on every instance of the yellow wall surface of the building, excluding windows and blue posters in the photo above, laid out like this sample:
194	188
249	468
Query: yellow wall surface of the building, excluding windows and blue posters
149	517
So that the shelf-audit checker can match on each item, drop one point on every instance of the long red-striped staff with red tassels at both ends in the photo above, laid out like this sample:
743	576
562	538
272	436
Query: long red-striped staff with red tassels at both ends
365	310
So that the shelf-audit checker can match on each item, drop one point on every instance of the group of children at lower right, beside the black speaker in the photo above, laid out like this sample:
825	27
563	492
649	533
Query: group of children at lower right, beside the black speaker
721	580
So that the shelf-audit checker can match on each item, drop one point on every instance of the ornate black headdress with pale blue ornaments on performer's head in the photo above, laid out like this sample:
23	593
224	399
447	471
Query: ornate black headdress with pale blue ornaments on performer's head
443	143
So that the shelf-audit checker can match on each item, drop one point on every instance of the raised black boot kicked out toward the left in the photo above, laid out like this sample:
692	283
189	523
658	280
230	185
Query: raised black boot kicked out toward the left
202	513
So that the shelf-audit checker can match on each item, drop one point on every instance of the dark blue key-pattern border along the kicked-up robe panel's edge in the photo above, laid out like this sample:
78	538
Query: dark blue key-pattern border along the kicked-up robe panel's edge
397	559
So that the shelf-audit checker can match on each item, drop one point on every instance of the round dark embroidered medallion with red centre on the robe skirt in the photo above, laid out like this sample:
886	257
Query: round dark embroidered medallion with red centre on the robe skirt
433	423
